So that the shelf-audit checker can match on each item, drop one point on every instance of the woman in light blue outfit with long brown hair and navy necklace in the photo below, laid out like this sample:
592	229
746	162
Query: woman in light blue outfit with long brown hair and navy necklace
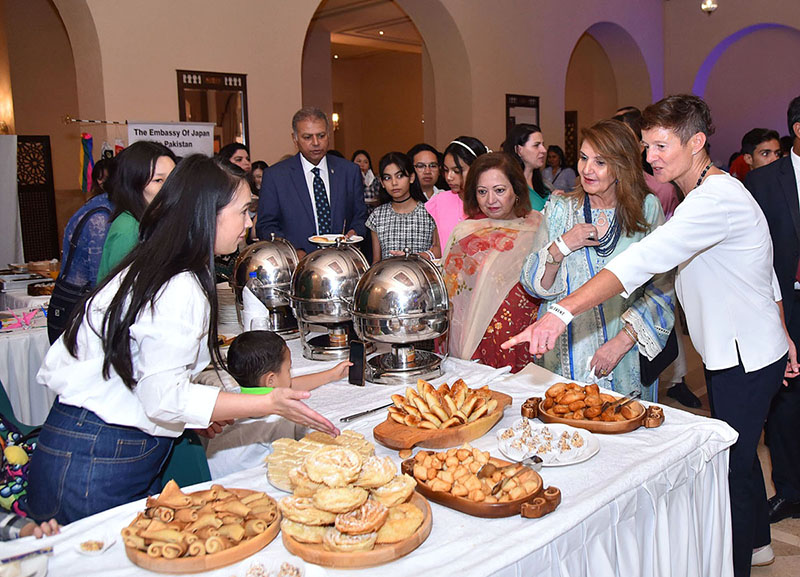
610	209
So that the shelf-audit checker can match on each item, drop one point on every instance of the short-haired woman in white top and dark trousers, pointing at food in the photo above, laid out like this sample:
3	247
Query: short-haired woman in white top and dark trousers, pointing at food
719	241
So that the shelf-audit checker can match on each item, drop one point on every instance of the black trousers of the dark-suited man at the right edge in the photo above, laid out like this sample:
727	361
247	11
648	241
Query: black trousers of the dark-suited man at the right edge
782	426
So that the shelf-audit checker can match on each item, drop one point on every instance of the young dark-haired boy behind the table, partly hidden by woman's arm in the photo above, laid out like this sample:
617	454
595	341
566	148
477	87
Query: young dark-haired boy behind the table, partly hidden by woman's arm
260	361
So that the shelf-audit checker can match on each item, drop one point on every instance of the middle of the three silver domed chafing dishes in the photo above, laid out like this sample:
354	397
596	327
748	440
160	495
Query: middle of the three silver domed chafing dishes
321	292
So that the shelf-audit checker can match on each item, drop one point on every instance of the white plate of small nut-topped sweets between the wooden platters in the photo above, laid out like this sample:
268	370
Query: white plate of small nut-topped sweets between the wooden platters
526	438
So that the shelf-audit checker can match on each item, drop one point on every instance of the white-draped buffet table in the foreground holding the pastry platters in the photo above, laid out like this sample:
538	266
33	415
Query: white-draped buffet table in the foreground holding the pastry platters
651	502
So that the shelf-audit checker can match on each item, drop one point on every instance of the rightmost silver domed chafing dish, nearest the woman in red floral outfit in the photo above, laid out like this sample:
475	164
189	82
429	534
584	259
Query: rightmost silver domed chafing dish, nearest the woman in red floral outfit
402	301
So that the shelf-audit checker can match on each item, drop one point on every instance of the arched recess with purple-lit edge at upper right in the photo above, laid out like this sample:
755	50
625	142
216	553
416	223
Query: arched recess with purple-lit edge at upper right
748	80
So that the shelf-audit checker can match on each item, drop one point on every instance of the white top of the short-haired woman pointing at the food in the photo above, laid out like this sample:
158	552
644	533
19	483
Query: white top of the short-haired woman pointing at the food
719	240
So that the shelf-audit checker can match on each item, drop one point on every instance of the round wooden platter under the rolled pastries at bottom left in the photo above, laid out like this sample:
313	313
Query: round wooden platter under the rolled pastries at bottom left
208	562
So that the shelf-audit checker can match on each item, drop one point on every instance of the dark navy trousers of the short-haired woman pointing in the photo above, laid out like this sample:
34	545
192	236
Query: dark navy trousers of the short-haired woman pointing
742	400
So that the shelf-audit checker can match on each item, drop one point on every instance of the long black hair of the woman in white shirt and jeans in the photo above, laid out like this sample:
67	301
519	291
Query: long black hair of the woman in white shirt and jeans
177	233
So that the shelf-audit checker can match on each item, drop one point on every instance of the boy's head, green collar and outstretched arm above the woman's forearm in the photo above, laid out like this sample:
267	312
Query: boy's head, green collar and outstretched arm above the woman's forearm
260	361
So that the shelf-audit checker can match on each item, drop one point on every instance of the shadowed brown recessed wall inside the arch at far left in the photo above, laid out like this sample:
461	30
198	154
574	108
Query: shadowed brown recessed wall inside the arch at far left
44	83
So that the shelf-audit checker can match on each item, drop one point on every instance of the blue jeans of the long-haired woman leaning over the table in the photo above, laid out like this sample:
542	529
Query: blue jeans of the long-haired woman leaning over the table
82	465
